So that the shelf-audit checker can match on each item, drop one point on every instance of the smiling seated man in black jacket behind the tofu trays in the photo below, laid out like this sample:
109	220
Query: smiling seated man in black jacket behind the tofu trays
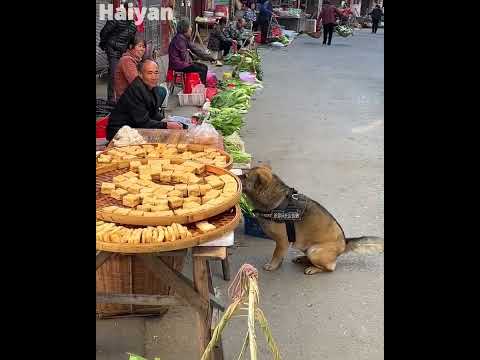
139	105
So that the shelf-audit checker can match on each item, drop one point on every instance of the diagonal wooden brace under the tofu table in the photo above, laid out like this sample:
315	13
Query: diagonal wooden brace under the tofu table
171	278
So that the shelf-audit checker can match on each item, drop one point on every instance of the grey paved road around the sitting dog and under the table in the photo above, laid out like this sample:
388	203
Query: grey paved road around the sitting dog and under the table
319	121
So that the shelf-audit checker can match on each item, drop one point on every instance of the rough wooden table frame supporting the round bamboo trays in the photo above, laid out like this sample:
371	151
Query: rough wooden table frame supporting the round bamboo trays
198	293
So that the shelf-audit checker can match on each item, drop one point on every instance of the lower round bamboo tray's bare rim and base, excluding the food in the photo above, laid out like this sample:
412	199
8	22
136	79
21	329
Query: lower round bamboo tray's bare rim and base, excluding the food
225	222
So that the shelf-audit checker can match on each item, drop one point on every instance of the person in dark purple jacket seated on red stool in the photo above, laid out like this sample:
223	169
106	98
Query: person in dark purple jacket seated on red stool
179	57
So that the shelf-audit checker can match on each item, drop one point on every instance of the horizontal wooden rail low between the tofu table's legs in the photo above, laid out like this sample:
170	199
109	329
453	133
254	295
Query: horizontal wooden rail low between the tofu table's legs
139	299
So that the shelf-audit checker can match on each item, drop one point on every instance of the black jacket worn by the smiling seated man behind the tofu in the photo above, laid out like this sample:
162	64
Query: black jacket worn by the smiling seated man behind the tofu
138	107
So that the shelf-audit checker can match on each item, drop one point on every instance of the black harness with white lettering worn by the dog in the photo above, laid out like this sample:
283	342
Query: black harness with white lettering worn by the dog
290	210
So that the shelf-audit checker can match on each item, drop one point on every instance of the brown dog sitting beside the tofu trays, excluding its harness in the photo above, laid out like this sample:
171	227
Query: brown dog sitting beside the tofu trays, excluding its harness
317	234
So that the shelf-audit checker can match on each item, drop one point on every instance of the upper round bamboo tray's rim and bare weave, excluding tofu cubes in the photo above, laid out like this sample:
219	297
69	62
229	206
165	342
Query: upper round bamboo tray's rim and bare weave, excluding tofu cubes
105	200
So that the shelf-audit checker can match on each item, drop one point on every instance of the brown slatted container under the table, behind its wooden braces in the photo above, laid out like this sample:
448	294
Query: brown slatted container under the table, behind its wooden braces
126	274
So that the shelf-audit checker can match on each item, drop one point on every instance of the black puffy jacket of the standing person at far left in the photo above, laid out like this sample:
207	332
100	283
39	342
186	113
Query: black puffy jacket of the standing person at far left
115	36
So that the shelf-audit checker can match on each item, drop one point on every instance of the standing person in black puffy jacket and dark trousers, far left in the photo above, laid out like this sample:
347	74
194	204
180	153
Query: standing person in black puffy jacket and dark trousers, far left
114	39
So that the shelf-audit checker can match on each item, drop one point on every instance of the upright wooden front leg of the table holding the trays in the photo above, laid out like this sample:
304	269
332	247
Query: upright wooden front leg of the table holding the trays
204	319
